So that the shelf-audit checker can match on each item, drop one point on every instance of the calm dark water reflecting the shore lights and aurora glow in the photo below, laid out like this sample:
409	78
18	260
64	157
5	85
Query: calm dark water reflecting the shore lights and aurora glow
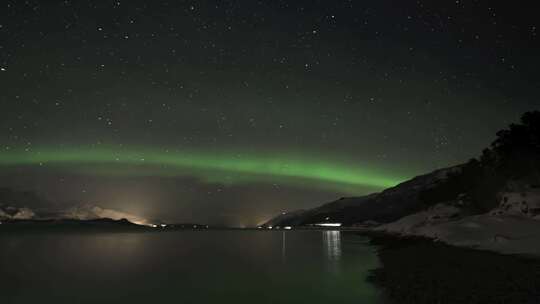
187	267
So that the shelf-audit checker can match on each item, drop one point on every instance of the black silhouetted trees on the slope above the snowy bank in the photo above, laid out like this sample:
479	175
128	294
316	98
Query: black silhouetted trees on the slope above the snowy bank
514	155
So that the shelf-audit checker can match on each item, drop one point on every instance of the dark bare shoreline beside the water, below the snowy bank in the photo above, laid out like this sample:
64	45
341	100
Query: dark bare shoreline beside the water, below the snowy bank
419	271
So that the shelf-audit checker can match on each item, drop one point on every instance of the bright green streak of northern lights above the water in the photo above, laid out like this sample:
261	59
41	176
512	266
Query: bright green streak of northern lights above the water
215	168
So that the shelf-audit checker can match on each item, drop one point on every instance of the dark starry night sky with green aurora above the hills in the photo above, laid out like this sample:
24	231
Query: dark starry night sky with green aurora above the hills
229	112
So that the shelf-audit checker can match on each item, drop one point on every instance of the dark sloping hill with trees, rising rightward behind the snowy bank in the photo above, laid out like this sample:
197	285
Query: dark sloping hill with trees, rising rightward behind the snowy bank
473	186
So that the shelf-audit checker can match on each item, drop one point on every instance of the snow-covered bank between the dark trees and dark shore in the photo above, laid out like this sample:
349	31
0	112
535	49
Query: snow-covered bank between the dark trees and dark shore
512	228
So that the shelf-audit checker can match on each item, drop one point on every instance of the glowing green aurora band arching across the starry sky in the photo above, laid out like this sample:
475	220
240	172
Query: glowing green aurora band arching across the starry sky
226	168
